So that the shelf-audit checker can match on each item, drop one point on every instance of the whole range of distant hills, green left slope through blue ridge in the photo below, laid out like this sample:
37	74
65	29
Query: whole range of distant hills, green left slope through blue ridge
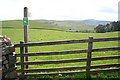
55	24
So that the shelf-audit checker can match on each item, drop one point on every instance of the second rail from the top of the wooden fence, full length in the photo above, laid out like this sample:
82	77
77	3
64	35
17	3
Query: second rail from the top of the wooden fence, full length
69	52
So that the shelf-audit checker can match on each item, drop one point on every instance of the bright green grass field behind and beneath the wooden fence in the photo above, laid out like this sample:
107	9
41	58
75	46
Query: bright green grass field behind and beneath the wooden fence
44	35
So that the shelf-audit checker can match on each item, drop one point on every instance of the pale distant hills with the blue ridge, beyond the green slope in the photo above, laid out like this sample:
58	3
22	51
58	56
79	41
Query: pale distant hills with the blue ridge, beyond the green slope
75	24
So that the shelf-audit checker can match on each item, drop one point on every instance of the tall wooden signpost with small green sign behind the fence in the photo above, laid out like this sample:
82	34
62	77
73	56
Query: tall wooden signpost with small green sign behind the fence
25	23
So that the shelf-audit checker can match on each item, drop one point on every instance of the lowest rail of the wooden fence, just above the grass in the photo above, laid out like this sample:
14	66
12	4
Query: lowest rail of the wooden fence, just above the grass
72	72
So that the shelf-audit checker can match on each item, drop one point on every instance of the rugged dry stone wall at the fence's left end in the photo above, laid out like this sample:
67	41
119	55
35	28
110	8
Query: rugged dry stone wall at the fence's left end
8	59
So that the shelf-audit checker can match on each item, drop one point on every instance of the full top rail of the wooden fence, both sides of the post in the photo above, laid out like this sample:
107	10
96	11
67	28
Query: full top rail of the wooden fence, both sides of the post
66	42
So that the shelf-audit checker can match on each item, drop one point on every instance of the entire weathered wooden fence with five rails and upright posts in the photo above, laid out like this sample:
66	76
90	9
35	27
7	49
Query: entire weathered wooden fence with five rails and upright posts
88	67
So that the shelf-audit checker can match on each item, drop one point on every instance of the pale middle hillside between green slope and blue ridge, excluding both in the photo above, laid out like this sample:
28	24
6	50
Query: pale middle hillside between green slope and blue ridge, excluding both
68	25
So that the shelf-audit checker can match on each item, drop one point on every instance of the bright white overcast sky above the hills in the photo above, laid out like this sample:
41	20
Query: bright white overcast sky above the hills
60	9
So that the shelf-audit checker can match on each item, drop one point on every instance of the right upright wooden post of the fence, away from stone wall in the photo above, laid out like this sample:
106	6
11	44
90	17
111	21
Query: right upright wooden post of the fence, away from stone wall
90	45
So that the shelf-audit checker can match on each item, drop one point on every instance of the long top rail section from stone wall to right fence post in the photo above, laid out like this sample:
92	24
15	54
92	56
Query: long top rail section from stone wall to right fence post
52	43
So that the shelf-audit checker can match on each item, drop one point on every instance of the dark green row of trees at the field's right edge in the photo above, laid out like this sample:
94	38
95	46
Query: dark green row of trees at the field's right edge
110	27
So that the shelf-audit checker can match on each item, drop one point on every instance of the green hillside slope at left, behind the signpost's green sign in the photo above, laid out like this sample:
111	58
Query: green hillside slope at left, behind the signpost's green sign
32	24
